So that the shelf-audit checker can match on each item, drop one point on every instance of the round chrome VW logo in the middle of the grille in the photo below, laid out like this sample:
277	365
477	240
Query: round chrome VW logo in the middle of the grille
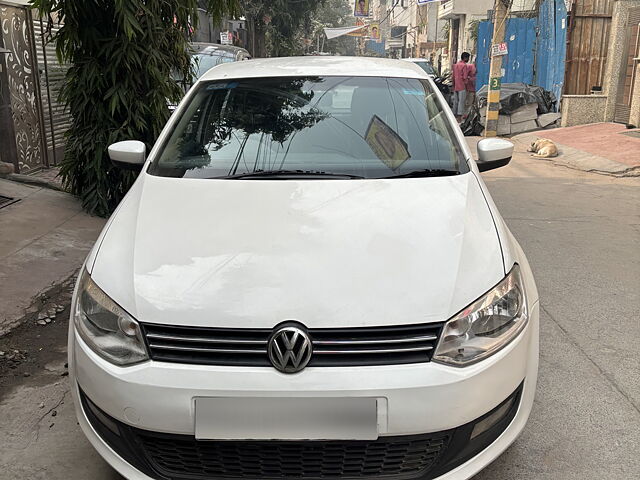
289	349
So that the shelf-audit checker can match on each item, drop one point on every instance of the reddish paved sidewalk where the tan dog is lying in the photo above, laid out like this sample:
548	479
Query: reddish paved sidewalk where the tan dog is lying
604	148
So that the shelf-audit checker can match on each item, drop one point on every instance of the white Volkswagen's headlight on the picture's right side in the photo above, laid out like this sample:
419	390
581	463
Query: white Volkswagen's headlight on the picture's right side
485	326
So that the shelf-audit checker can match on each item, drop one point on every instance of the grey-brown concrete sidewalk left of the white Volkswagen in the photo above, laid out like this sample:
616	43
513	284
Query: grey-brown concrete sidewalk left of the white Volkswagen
44	238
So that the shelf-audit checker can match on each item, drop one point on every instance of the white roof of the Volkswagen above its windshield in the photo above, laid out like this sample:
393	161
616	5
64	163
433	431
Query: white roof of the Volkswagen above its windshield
316	66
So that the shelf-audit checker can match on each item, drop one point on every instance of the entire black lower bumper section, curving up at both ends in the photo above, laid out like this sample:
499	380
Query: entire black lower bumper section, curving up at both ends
182	457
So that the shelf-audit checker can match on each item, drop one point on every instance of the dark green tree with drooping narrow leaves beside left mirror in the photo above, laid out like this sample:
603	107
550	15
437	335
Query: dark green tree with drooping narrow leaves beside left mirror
122	55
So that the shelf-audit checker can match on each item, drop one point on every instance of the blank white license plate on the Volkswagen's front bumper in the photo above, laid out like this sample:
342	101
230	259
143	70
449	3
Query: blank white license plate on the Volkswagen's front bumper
247	418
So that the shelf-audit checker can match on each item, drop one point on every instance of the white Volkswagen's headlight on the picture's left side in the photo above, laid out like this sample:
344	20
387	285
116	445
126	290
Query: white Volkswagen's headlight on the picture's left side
110	331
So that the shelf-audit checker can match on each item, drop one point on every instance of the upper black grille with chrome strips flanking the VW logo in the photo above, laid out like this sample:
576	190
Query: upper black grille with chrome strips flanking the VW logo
332	347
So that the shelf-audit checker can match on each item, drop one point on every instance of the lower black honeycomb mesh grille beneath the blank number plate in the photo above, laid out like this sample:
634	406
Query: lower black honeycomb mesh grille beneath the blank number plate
311	459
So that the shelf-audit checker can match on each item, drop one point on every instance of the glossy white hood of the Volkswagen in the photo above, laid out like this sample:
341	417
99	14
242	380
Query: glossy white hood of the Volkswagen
253	253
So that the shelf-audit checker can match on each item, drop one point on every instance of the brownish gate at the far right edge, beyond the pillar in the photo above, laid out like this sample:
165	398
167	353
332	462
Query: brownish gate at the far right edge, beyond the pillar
631	56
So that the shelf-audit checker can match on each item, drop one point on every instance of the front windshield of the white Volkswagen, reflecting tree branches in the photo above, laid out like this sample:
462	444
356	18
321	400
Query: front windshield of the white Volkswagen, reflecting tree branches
356	127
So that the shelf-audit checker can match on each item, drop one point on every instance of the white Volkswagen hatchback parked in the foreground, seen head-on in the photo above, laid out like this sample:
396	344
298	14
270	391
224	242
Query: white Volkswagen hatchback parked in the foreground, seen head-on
309	279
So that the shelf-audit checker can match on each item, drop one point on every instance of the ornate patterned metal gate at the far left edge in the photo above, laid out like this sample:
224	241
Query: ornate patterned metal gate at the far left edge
24	88
